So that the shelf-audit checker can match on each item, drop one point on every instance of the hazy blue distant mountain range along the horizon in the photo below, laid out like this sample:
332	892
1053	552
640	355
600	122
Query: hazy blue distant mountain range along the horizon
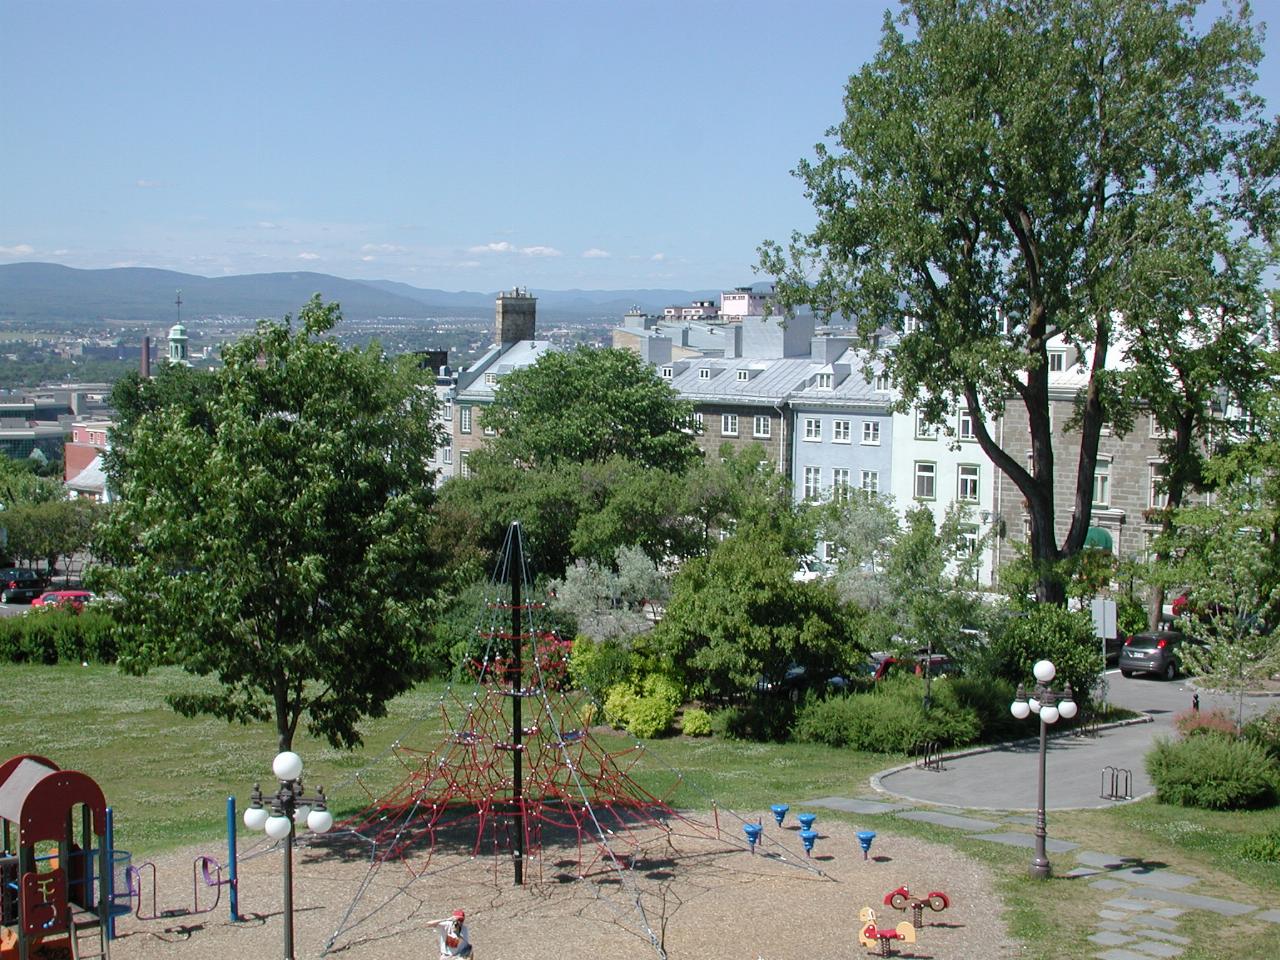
34	292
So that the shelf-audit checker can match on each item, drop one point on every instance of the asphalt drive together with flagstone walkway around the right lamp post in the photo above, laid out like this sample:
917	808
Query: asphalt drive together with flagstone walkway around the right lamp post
988	794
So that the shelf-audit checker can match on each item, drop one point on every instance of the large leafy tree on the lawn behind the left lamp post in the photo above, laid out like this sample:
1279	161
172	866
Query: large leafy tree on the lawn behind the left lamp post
284	550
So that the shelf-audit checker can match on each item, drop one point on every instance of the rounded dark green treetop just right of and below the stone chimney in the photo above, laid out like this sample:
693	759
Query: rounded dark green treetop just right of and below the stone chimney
587	406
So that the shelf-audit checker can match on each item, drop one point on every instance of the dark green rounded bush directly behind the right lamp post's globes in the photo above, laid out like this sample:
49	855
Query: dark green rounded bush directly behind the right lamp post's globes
1048	633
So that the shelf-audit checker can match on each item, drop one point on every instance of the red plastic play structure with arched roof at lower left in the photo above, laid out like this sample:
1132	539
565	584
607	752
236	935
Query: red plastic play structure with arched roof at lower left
56	892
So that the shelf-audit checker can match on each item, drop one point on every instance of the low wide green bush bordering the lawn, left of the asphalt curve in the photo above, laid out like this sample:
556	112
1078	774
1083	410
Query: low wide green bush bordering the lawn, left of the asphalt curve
890	720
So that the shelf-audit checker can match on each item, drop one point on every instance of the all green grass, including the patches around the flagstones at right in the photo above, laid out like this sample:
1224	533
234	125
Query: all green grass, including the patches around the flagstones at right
168	779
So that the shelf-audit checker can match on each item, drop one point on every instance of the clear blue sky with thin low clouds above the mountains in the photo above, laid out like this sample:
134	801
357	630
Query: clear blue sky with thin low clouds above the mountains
463	145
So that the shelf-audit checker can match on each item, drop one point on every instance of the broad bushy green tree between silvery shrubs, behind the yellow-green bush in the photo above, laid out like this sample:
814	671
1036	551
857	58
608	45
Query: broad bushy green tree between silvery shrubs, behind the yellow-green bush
738	618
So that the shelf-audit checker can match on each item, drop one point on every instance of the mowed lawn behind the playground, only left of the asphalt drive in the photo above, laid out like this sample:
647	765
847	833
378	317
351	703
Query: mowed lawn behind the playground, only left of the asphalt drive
168	776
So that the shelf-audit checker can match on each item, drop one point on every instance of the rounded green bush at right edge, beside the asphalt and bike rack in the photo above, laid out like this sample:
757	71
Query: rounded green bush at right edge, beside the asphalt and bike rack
1213	772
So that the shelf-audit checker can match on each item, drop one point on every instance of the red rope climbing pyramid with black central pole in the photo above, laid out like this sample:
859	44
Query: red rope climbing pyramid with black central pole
522	785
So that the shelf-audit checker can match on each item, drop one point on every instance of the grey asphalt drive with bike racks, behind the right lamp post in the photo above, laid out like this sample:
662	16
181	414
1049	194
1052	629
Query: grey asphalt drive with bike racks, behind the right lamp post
1005	779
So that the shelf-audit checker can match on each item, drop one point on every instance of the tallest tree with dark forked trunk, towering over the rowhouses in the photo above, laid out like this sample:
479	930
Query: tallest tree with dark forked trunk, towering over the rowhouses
1007	175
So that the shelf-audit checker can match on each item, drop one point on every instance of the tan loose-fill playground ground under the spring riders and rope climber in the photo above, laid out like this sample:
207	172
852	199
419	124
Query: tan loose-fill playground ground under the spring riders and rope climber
705	899
